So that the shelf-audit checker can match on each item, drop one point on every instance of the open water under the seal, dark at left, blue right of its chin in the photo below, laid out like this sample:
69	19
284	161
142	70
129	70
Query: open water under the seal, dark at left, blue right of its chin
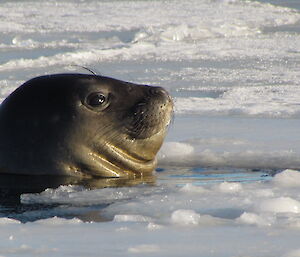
12	187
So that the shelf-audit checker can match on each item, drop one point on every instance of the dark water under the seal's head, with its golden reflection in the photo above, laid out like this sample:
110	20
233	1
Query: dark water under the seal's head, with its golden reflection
12	186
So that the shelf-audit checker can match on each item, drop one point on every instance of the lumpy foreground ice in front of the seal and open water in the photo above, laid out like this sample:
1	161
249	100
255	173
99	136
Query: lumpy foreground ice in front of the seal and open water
164	220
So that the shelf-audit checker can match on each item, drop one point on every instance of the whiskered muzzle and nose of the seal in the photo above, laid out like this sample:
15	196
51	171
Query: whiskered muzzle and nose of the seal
149	116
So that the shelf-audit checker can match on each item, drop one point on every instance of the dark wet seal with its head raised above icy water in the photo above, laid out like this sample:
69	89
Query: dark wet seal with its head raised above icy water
83	125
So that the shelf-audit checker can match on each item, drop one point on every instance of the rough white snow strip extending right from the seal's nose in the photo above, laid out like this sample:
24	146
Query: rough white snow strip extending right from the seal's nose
248	101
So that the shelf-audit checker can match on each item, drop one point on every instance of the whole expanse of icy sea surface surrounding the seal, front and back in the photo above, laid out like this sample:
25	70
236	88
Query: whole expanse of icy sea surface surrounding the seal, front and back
232	67
